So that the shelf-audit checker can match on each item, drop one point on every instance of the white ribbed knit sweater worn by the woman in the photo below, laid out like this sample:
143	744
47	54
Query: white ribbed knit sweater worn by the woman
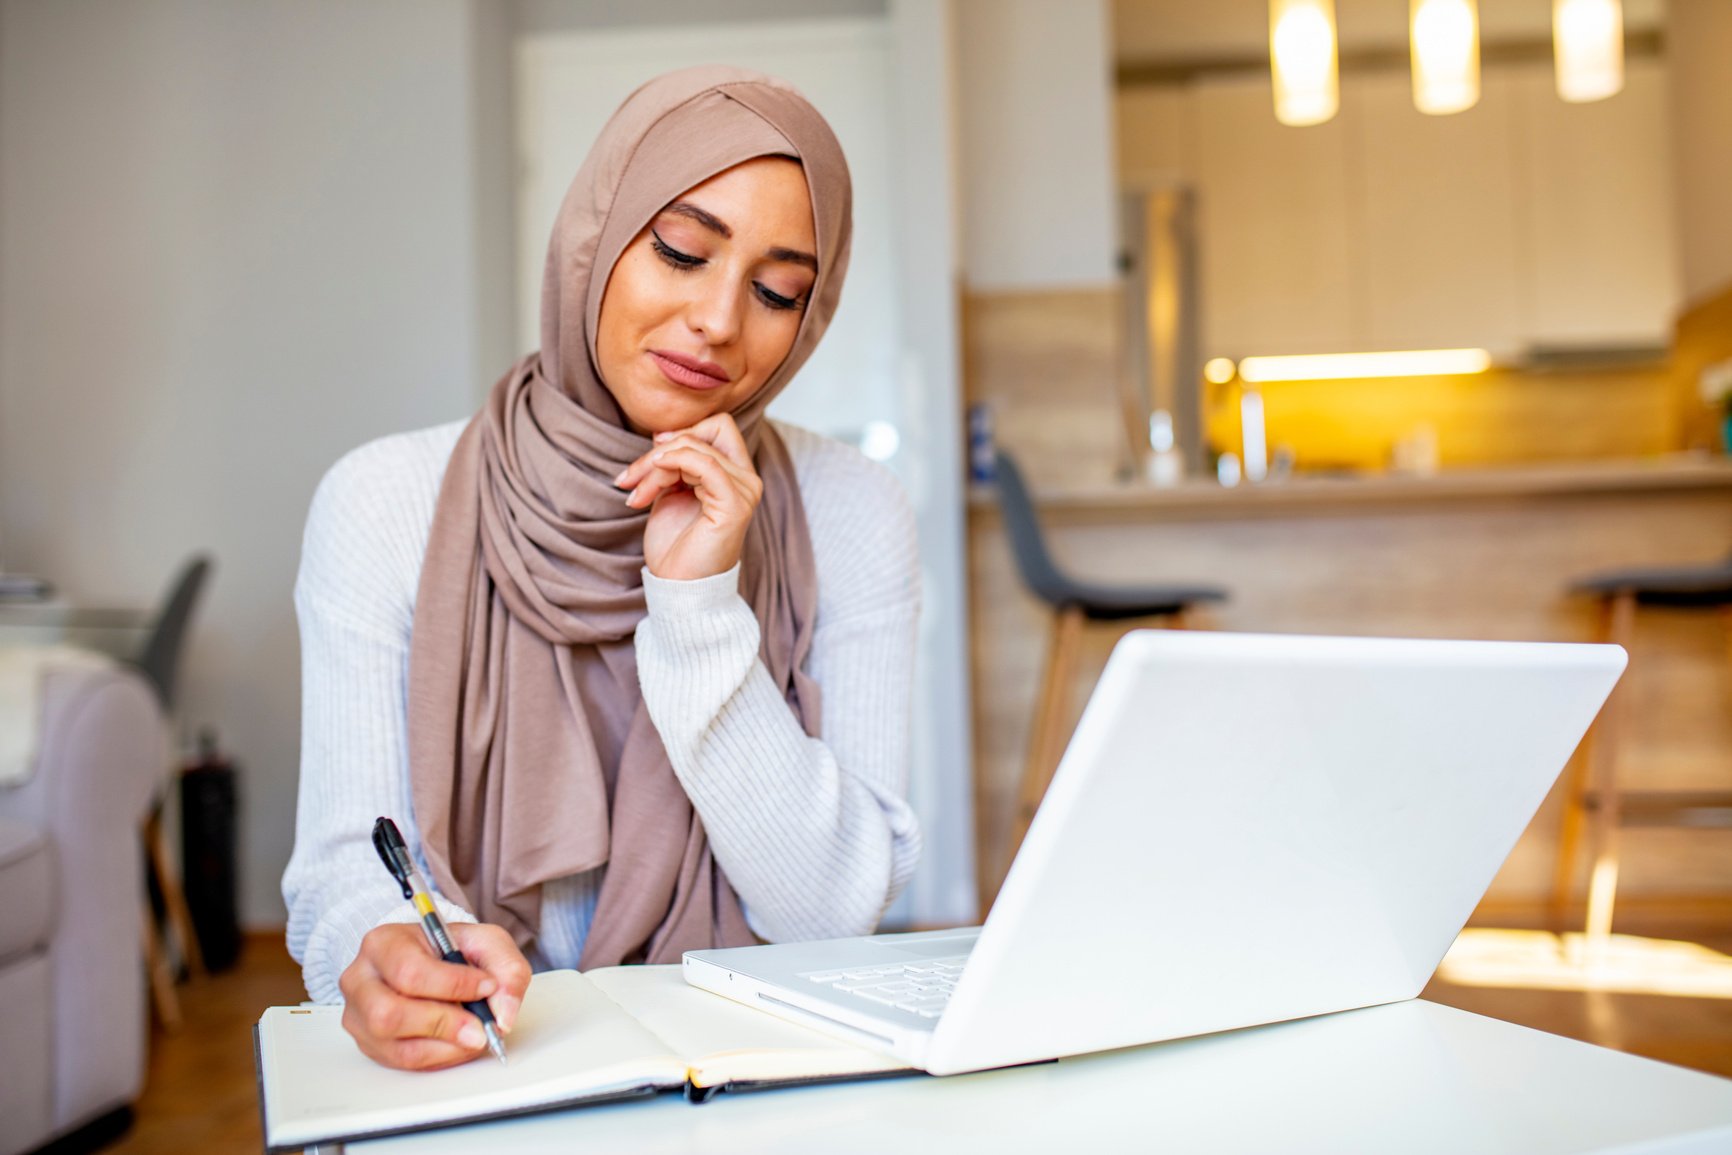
817	836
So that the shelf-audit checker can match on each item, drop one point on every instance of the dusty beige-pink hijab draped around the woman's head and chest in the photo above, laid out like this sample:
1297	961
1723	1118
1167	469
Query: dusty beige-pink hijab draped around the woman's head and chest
531	752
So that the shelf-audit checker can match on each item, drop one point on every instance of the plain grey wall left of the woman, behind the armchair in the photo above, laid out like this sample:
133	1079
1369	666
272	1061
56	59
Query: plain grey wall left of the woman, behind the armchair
238	240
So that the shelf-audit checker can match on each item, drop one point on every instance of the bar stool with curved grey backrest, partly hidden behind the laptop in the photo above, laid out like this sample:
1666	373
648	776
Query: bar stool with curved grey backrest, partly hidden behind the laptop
1073	605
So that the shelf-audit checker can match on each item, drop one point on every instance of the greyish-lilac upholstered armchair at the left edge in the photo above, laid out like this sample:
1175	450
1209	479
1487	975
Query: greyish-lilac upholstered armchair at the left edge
72	979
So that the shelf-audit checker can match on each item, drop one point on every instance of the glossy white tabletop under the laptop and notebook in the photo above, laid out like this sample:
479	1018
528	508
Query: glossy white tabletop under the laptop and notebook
1406	1078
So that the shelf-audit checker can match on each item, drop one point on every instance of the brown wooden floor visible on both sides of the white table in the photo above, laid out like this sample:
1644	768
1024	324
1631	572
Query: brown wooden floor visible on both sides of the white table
200	1094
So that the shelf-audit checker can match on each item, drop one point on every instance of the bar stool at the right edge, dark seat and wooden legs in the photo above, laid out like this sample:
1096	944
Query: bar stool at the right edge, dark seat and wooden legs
1619	595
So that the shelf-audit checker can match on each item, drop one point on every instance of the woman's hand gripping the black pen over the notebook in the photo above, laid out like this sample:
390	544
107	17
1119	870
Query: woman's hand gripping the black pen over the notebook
404	1005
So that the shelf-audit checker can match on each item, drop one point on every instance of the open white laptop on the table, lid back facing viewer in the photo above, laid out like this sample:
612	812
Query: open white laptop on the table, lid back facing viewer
1243	830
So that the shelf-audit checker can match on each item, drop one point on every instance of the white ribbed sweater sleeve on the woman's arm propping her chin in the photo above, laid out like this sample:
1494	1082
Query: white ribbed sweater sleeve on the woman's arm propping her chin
815	834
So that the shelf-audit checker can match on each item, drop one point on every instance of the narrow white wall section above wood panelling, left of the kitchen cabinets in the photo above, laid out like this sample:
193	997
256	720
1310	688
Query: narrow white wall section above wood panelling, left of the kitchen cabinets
1035	129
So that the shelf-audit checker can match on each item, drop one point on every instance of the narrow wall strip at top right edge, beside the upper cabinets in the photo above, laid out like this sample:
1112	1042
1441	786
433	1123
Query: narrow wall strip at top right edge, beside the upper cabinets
1700	58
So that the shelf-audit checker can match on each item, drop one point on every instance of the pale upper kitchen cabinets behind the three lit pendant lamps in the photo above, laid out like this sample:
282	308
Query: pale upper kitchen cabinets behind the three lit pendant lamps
1520	224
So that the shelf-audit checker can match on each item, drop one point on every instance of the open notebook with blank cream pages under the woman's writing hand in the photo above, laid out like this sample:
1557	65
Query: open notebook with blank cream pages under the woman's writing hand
614	1033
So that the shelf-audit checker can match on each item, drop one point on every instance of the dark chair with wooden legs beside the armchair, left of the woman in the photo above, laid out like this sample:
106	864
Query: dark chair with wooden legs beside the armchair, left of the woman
160	664
